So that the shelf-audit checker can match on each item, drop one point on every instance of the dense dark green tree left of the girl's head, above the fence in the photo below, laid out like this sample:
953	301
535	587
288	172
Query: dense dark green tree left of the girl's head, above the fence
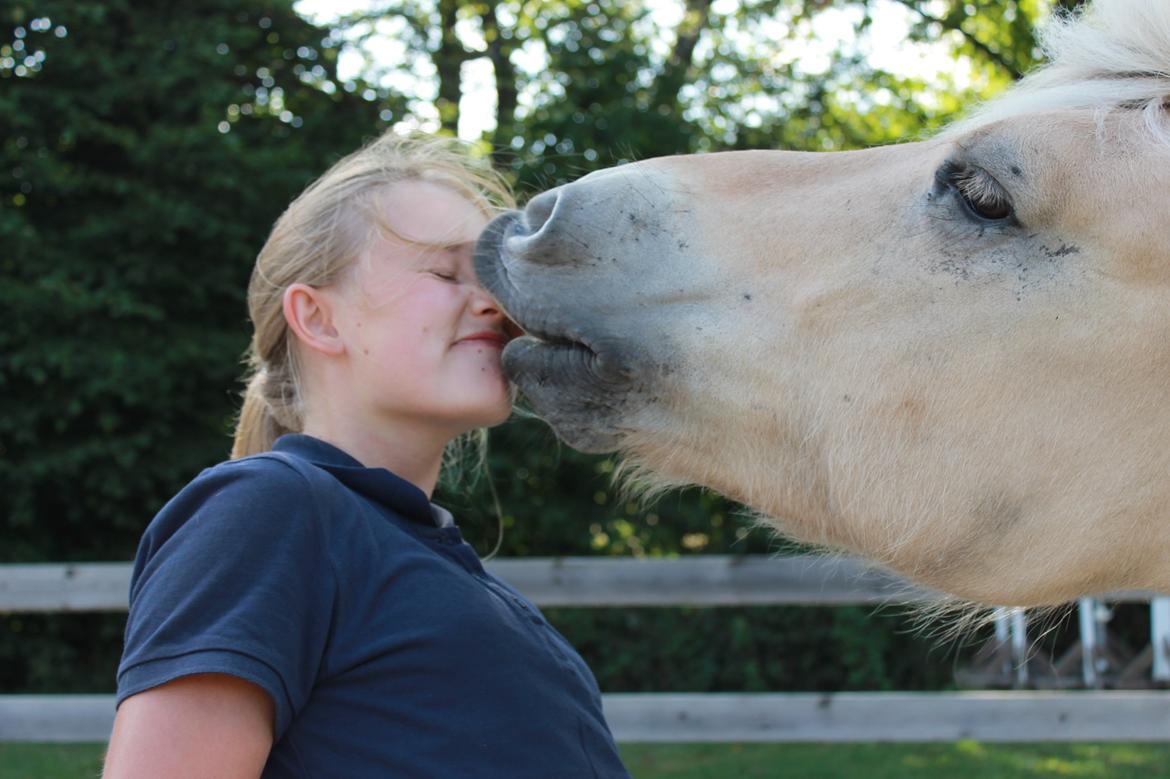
147	151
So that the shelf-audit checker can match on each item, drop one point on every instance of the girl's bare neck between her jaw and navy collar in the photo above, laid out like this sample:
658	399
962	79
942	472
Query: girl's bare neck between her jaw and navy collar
414	453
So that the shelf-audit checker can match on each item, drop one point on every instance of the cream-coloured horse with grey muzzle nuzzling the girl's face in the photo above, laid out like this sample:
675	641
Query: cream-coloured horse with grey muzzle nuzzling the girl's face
952	357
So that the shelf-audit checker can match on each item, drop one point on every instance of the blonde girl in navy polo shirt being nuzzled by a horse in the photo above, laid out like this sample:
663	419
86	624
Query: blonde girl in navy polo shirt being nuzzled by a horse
304	610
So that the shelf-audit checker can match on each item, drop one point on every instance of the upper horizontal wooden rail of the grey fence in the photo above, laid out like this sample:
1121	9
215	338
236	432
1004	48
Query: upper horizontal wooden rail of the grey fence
588	582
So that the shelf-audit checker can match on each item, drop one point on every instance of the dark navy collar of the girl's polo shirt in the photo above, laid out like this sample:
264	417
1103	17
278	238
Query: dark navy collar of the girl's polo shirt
378	485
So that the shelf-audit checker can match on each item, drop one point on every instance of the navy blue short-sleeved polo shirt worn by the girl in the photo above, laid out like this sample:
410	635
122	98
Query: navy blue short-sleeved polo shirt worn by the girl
387	647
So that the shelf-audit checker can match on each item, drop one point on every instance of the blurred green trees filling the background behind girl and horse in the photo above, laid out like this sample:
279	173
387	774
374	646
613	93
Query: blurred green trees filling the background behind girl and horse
147	148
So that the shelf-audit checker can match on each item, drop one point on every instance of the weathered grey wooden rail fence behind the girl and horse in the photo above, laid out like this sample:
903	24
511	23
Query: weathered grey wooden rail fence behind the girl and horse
707	581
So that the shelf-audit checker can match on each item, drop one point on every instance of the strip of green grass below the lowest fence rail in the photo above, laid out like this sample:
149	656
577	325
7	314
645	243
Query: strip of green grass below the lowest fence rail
958	761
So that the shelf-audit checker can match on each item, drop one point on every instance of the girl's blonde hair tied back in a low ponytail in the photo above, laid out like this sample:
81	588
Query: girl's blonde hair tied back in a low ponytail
327	229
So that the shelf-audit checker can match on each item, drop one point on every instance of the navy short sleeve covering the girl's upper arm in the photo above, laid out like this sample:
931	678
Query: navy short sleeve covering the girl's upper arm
233	577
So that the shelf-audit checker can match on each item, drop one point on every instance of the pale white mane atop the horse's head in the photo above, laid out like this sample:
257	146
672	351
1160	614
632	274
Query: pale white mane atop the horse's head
1112	56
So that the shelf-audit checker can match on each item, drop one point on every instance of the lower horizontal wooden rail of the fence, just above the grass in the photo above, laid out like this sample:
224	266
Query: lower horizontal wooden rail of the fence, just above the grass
994	718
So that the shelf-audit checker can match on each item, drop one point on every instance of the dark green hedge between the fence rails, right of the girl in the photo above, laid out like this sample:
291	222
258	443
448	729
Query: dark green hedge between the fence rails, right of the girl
753	650
